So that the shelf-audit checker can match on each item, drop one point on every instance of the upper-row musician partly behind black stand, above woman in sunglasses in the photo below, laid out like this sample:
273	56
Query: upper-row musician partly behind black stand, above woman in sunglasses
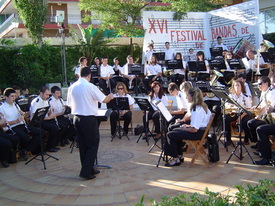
128	78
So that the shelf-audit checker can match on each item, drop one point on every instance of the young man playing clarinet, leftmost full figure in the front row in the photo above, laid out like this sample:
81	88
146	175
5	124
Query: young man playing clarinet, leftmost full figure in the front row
17	125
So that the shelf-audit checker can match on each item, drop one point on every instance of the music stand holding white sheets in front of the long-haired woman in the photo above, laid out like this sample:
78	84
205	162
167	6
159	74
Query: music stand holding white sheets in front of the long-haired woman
164	115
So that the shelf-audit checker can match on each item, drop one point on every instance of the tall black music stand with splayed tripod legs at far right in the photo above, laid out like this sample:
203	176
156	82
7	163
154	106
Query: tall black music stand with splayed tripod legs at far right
225	98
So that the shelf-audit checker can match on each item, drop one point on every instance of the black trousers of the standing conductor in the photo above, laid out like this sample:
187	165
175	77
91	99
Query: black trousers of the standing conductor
88	139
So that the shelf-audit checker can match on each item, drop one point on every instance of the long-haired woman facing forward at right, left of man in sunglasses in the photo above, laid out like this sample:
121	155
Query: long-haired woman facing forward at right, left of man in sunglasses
237	93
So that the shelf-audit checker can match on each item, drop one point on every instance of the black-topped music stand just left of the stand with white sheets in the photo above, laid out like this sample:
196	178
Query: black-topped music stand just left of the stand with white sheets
146	106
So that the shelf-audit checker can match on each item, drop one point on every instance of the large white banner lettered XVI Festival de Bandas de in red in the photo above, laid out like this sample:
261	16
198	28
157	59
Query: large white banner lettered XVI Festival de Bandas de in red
199	30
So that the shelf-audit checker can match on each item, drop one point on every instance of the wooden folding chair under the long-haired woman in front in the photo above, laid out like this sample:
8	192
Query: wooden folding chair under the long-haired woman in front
198	144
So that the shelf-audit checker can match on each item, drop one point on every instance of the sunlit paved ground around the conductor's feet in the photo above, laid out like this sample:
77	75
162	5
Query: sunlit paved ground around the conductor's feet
133	174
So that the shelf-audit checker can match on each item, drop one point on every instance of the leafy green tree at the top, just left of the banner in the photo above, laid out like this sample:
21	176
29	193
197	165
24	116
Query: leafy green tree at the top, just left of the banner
120	15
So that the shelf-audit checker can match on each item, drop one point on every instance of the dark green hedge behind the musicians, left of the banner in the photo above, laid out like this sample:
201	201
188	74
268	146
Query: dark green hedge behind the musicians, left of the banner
34	67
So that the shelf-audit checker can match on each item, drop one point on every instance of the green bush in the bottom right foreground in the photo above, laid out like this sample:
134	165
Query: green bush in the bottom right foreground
260	195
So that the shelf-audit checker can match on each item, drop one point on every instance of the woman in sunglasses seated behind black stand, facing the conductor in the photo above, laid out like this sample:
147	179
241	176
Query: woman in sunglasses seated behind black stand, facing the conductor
121	91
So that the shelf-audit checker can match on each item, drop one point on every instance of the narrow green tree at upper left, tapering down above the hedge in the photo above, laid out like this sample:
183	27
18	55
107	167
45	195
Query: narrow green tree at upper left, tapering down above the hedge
33	13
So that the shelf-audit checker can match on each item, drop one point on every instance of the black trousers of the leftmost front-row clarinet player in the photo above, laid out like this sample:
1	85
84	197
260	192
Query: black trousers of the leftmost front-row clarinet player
30	141
